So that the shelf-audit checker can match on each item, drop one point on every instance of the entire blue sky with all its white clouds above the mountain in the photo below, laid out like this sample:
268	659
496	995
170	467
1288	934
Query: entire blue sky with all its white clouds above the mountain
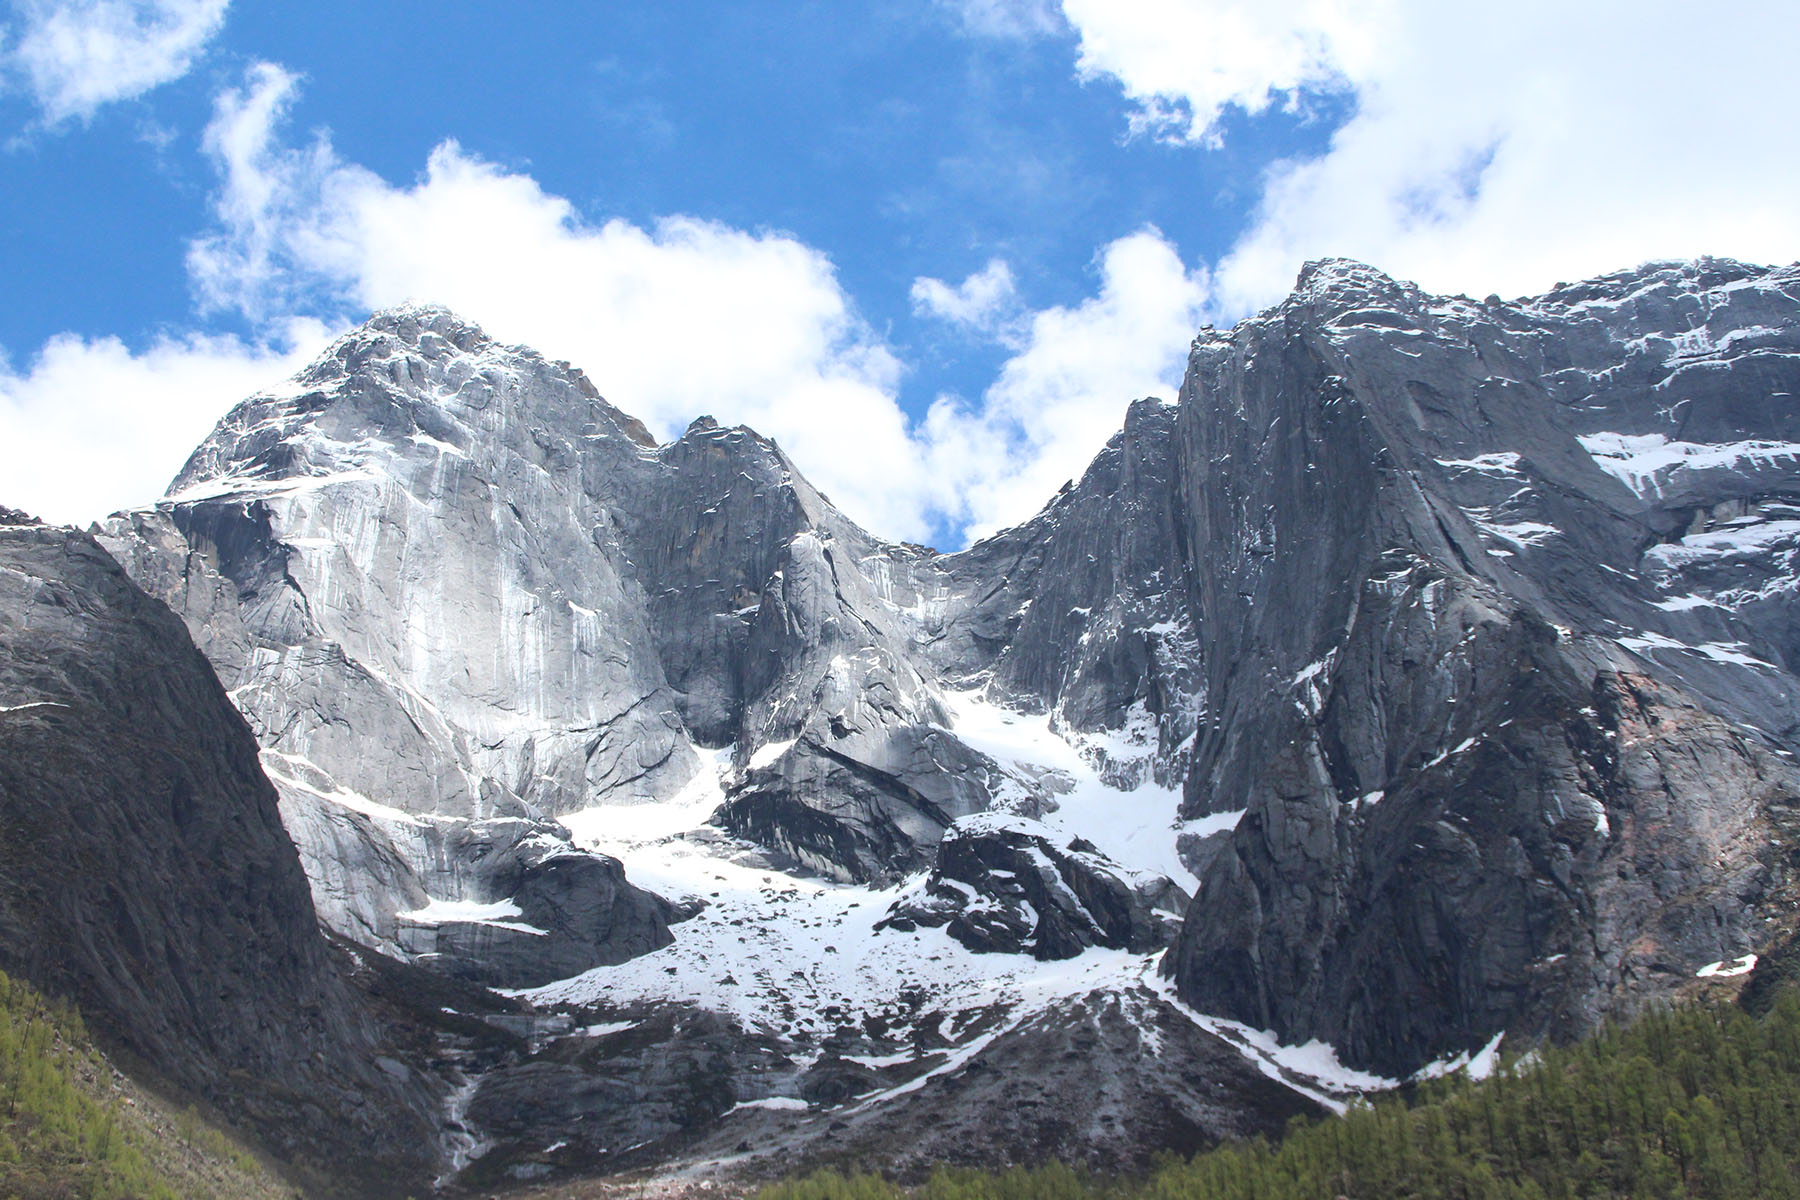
931	247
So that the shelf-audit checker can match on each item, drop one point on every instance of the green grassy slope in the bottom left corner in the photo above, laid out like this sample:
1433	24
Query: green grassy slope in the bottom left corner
75	1129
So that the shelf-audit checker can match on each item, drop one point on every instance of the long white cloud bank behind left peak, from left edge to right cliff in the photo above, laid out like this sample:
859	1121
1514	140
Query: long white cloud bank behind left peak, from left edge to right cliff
672	321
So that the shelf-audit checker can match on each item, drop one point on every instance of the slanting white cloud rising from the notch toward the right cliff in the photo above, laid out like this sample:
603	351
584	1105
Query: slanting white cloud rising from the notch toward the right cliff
1065	393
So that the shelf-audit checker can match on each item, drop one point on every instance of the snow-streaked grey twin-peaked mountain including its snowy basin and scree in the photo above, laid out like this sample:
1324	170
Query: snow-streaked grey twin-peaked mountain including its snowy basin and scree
1439	650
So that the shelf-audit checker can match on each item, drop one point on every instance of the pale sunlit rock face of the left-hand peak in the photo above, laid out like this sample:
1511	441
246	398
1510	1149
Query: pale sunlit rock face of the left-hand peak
433	674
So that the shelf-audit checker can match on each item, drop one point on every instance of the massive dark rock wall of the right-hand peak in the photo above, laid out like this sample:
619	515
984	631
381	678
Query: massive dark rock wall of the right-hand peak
1507	739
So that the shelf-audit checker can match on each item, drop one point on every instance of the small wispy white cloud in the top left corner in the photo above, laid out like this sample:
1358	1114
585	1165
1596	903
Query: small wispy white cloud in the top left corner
78	55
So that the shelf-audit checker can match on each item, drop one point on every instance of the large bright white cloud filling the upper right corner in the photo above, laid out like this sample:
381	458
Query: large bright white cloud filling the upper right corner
1493	148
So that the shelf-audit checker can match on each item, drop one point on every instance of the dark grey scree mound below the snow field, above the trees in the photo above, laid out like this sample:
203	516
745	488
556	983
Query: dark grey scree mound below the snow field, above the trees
1104	1080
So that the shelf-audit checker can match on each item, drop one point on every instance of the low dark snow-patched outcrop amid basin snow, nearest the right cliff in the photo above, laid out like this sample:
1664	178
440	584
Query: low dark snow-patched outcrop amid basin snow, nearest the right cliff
1002	884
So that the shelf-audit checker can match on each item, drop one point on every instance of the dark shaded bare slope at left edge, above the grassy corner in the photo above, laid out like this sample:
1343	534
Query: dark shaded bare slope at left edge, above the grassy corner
145	873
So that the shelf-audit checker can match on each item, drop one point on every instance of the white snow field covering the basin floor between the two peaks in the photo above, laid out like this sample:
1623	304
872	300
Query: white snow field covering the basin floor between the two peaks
800	958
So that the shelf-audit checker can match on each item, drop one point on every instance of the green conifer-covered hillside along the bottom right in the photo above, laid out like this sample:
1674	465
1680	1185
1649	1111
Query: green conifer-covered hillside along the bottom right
1693	1102
